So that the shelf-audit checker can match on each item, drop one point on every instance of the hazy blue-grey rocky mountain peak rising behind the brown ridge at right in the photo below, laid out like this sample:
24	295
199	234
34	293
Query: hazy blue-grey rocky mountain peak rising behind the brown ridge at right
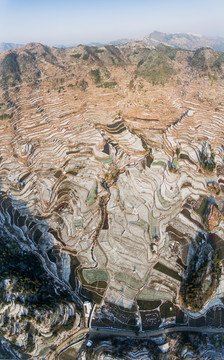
184	41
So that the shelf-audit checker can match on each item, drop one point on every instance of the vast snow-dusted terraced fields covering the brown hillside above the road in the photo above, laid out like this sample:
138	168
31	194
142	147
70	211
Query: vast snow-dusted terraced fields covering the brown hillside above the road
117	191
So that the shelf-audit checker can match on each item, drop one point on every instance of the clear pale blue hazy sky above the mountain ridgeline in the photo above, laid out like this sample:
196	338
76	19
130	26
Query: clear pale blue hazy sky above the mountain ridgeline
72	22
